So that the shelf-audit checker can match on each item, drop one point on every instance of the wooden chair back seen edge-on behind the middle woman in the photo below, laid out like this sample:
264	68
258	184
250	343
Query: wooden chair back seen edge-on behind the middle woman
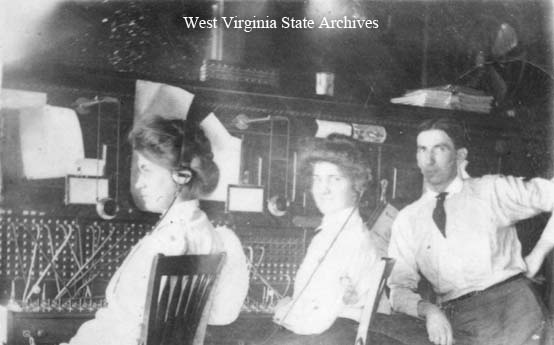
373	298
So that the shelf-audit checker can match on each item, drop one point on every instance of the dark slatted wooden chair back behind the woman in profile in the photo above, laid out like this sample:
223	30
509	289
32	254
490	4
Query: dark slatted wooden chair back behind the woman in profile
178	299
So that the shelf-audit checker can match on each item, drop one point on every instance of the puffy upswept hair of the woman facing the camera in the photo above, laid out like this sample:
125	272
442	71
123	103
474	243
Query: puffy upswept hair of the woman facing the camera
341	150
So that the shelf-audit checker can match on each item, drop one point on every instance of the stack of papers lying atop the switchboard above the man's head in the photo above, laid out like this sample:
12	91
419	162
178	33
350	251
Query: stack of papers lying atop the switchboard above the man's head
448	97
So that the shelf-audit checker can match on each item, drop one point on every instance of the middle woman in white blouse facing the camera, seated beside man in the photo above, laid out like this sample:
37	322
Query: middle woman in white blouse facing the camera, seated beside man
335	275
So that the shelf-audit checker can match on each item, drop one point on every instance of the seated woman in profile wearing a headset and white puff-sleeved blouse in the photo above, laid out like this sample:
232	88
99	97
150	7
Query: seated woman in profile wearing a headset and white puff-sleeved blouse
174	167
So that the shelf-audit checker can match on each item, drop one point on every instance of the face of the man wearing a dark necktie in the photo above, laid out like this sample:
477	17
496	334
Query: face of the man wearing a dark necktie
436	158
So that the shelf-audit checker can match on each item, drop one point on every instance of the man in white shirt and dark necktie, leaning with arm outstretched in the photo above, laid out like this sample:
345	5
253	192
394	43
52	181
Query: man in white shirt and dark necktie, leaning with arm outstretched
461	236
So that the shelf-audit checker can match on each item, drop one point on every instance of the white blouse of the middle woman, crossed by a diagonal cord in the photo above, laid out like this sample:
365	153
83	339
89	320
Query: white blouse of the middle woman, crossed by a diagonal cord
334	277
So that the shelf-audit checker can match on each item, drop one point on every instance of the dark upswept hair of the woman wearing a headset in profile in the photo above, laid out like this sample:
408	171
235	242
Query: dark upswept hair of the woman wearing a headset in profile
178	144
